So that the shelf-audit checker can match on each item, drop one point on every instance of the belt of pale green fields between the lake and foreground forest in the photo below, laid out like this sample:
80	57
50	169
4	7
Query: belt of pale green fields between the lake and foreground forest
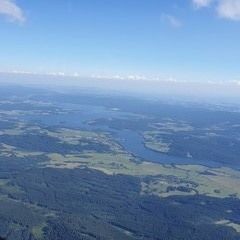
167	180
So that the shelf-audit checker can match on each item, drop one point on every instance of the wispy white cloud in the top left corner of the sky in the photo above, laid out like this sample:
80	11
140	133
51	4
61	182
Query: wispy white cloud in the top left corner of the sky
11	10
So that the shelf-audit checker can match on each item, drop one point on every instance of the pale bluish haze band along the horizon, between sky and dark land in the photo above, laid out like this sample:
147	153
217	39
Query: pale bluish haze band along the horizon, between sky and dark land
207	92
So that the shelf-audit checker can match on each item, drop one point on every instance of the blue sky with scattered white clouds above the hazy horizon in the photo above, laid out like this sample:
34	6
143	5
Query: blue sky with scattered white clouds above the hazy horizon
180	39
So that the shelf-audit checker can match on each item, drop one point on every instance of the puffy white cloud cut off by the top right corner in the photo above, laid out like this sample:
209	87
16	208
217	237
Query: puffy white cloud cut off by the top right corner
229	9
